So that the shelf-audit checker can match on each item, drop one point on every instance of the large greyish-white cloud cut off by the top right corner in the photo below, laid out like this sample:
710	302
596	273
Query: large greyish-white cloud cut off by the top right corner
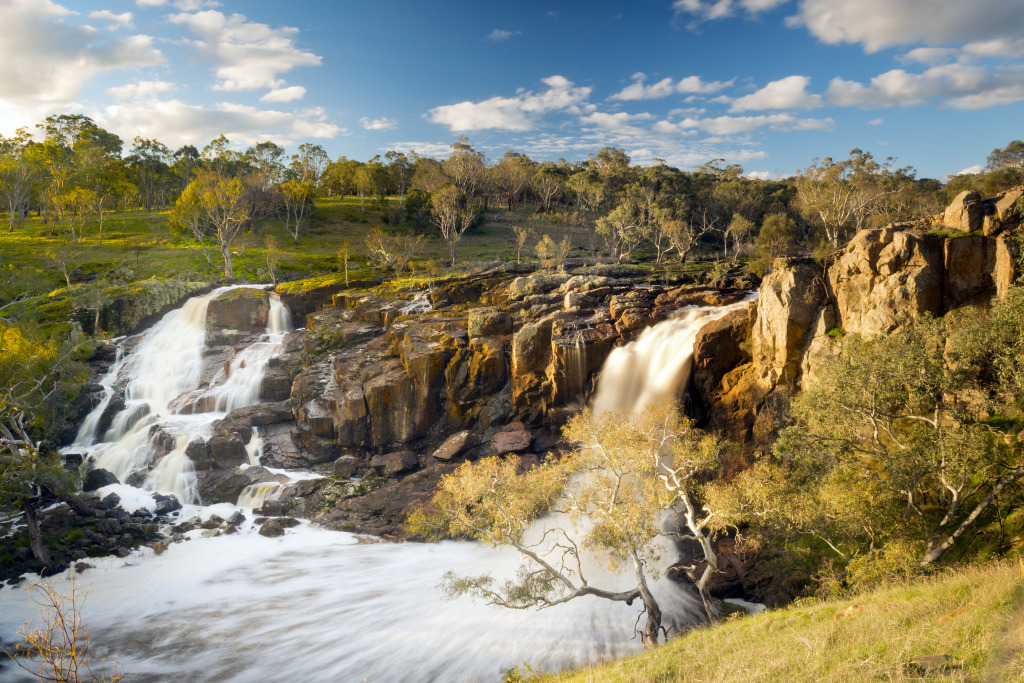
881	24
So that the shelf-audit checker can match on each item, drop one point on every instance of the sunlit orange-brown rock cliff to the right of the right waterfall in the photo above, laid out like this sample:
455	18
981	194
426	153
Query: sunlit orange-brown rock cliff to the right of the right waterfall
748	367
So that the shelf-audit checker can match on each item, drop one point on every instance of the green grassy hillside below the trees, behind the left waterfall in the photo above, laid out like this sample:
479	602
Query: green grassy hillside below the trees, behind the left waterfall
144	244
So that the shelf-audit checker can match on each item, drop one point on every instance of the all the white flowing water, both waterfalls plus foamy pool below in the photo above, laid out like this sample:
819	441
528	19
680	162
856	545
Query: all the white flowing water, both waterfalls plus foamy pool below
317	605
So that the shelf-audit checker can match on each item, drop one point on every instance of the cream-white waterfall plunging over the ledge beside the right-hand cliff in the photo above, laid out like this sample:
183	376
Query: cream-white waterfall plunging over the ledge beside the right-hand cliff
657	365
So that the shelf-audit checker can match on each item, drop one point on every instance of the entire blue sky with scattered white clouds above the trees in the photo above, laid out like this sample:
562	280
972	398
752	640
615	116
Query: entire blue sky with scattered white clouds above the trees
769	84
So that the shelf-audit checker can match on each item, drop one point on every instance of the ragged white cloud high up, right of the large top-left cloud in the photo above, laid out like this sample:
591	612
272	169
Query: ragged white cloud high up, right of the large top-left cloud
248	55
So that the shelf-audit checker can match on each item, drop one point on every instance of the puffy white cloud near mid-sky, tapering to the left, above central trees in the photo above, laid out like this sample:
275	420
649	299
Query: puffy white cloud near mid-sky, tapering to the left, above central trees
520	113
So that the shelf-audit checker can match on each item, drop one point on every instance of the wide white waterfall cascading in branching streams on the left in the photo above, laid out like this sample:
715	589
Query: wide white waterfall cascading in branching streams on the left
166	364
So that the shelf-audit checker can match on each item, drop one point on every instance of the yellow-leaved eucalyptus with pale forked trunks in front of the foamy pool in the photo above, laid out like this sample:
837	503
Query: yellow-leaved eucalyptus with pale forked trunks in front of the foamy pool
605	498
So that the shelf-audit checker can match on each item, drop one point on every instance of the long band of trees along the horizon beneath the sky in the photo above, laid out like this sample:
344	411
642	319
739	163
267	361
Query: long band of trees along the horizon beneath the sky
80	173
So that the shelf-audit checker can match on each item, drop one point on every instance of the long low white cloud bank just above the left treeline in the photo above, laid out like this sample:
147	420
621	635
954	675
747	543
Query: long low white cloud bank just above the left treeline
177	123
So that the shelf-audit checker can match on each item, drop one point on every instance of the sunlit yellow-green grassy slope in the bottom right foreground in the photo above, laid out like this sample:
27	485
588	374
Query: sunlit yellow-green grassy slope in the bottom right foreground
967	625
